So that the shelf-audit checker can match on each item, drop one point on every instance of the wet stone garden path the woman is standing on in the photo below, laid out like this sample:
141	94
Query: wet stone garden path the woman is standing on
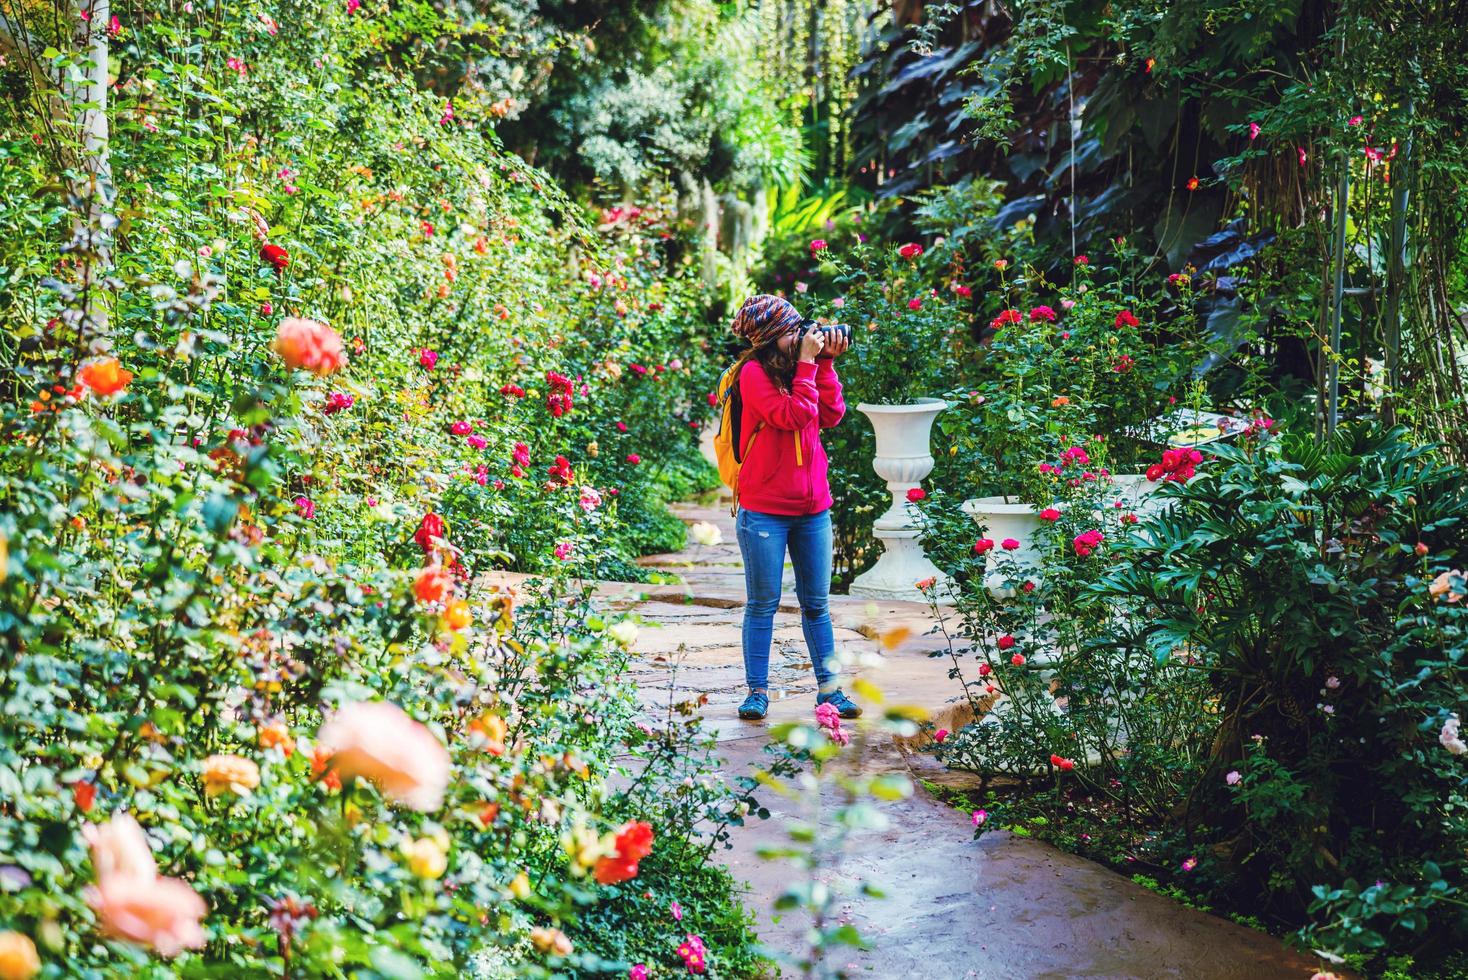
1003	907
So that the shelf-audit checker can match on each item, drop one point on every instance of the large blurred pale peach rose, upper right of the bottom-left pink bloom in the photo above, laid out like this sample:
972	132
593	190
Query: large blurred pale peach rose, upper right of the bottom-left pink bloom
379	743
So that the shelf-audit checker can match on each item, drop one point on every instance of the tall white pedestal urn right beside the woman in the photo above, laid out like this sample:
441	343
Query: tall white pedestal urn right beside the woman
904	460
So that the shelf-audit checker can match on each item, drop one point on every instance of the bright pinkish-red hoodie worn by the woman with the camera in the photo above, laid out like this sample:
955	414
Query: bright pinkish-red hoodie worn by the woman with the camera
786	469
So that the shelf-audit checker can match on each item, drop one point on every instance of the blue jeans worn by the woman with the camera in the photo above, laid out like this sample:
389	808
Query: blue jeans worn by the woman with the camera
763	541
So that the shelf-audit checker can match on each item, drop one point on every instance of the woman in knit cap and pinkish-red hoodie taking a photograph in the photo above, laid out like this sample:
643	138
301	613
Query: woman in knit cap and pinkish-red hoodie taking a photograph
791	392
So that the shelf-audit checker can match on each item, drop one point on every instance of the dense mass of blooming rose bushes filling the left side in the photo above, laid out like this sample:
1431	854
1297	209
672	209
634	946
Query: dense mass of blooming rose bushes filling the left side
280	395
